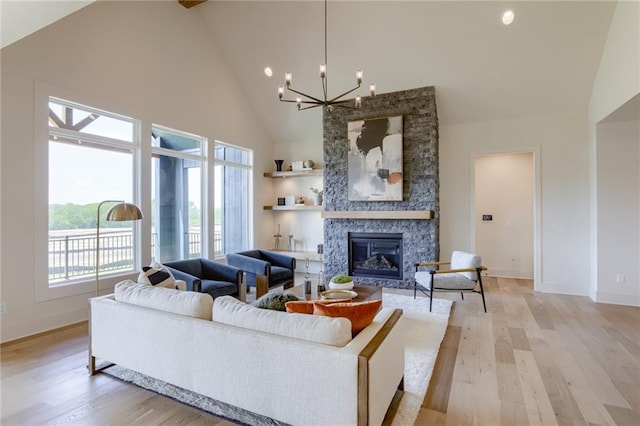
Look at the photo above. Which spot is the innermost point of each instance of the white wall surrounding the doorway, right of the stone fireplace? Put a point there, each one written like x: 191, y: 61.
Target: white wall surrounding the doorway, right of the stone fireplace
x: 563, y: 235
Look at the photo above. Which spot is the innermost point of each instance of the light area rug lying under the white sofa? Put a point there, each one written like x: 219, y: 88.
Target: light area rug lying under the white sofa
x: 424, y: 333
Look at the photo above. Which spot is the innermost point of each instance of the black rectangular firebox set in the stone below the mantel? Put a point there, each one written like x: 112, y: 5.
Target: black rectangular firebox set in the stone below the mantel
x: 376, y: 255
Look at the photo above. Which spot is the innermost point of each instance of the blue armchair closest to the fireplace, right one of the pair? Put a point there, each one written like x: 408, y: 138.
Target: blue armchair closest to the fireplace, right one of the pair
x: 264, y: 269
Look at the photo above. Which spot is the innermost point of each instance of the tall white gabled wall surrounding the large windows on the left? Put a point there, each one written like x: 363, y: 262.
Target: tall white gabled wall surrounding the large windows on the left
x: 149, y: 60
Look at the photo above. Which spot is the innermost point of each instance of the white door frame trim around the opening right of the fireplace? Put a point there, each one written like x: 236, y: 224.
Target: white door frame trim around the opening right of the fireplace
x: 537, y: 212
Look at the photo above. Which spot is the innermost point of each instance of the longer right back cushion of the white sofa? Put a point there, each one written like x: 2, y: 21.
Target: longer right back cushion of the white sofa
x: 318, y: 329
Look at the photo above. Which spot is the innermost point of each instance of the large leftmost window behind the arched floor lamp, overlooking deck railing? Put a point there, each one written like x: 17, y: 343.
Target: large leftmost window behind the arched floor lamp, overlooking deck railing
x: 91, y: 159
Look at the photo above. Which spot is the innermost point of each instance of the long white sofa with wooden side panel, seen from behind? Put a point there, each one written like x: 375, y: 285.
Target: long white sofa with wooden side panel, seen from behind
x: 296, y: 368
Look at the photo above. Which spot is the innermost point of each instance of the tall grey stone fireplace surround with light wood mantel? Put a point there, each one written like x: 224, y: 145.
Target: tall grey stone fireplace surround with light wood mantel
x: 415, y: 219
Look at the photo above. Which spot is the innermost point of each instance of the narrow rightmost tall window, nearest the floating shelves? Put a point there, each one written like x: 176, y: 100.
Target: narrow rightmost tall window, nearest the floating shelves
x: 232, y: 200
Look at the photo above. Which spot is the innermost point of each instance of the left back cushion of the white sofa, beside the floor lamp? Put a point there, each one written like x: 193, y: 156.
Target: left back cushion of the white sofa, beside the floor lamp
x: 189, y: 303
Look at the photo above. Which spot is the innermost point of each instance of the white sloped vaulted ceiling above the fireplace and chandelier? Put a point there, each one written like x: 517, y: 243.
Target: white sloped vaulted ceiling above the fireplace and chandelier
x: 544, y: 63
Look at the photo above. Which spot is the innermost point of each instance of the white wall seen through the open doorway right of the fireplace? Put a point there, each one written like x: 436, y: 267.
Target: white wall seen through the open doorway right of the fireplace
x: 504, y: 188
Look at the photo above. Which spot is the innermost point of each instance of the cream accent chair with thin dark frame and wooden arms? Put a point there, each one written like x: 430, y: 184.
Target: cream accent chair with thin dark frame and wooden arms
x: 464, y: 275
